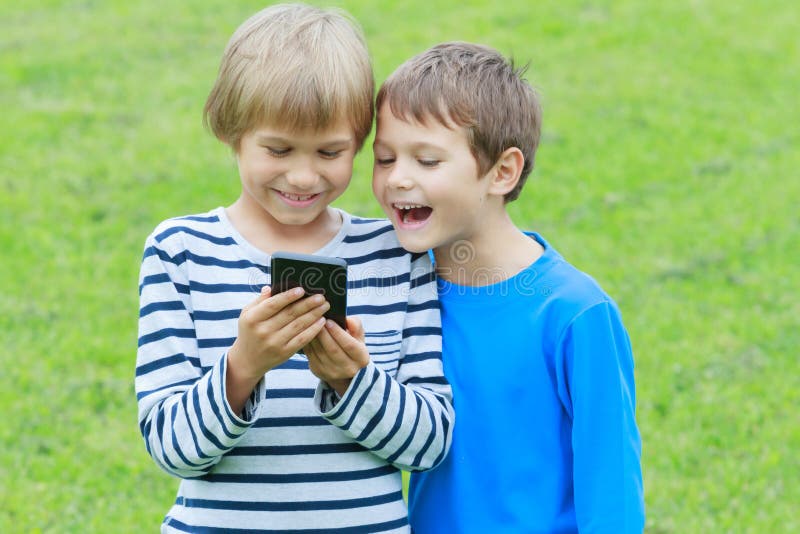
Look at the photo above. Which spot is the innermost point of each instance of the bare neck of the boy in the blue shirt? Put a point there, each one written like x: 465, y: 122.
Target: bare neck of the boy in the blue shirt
x: 494, y: 252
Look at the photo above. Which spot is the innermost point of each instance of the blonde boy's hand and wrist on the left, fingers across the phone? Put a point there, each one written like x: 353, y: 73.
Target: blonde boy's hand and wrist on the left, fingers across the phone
x: 271, y: 330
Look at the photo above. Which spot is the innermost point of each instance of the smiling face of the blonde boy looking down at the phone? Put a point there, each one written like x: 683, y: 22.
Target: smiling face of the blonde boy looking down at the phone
x: 290, y: 178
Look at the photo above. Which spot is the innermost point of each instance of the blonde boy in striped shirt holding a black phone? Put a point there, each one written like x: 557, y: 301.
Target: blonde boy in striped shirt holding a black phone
x: 263, y: 437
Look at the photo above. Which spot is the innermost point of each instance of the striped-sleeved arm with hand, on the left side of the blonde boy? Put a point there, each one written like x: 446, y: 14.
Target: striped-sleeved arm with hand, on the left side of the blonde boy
x: 190, y: 417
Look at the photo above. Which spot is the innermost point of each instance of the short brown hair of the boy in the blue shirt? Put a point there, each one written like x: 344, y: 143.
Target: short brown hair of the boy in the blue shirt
x: 471, y: 86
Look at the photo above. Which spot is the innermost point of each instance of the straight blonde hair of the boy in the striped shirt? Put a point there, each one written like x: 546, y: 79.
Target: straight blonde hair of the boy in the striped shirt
x: 294, y: 66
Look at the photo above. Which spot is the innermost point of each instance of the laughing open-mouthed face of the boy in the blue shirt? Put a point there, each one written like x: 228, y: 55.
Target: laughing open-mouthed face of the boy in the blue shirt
x: 426, y: 180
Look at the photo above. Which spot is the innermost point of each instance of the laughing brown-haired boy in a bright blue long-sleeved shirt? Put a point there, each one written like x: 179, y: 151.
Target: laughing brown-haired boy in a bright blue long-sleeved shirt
x: 539, y: 361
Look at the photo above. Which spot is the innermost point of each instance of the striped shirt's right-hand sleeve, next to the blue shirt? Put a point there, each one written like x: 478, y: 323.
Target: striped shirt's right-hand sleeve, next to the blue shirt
x: 406, y: 419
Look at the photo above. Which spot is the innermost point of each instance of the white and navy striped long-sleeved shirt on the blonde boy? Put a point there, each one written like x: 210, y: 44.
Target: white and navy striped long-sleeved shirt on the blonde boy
x: 296, y: 459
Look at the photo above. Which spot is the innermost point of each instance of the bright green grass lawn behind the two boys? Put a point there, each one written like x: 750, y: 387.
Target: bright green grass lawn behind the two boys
x: 668, y: 171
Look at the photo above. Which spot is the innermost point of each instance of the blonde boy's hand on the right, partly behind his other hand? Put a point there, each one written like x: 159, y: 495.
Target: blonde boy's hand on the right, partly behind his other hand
x: 336, y: 355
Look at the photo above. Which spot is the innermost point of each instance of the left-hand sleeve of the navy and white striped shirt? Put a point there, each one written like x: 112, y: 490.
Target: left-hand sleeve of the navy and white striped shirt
x: 184, y: 416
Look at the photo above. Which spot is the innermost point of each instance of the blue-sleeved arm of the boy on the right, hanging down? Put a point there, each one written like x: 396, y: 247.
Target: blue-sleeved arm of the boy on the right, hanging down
x: 606, y: 445
